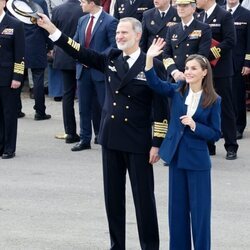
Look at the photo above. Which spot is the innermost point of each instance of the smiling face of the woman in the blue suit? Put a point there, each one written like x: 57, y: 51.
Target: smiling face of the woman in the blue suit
x: 194, y: 73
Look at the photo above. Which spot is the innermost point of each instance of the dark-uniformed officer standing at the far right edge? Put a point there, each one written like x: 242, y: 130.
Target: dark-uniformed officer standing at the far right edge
x: 241, y: 62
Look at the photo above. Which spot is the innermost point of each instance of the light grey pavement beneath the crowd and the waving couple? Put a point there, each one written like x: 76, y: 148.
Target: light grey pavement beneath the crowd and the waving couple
x: 52, y: 198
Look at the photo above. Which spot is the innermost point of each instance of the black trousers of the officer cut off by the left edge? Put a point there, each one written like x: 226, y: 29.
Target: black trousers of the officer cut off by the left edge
x: 8, y: 119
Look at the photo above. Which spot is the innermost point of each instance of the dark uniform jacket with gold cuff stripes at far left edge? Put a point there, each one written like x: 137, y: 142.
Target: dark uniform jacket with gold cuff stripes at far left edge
x: 12, y: 46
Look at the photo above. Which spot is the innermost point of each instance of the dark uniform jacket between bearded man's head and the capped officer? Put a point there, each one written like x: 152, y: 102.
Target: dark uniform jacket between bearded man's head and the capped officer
x: 154, y: 26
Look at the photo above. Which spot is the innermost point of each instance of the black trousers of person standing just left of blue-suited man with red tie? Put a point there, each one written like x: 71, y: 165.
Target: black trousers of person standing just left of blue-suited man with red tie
x: 69, y: 90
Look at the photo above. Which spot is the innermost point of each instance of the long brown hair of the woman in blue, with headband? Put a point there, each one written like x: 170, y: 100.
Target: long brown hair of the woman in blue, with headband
x: 209, y: 96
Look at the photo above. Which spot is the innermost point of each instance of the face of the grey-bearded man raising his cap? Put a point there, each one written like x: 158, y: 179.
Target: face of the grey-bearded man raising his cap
x: 126, y: 37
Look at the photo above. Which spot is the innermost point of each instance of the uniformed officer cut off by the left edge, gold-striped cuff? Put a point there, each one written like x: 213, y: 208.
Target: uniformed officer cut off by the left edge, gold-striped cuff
x: 12, y: 46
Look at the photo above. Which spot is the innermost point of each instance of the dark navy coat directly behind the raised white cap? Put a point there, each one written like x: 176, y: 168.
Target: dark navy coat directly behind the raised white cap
x: 37, y: 42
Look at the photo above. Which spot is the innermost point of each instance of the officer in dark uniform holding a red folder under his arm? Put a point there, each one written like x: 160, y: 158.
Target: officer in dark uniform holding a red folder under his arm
x: 224, y: 40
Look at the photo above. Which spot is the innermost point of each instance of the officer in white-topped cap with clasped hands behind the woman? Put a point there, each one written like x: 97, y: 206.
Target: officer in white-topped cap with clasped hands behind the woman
x: 185, y: 38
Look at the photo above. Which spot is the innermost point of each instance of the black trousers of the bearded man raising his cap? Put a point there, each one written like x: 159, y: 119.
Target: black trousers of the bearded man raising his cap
x: 115, y: 165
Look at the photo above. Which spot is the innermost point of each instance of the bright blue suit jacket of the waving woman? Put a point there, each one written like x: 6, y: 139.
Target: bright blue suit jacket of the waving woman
x: 189, y: 148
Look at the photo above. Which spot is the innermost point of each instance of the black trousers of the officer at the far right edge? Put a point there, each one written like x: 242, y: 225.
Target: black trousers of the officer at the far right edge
x: 239, y: 101
